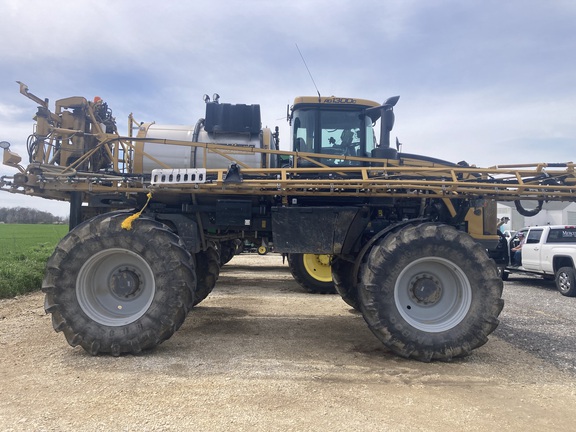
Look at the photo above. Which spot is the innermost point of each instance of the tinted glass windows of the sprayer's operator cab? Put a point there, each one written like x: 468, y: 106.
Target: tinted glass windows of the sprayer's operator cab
x: 333, y: 132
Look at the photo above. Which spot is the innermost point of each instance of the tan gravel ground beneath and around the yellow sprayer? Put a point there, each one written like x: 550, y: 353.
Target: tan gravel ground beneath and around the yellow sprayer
x: 261, y: 355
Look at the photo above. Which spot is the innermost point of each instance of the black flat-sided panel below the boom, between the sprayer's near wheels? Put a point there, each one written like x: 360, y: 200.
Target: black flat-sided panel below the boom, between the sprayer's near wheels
x: 318, y: 230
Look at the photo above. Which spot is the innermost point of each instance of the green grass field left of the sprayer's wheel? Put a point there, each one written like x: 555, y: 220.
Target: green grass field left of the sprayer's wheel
x: 24, y: 250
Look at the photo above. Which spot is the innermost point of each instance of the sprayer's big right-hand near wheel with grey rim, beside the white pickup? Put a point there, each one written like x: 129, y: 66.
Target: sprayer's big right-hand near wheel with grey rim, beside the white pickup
x: 430, y: 292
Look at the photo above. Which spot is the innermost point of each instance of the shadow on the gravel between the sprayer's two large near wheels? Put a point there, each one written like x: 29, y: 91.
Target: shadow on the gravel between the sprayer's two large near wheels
x: 221, y: 336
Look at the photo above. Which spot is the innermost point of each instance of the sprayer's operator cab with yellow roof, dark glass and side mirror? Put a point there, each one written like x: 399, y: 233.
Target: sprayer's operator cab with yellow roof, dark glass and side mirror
x: 342, y: 126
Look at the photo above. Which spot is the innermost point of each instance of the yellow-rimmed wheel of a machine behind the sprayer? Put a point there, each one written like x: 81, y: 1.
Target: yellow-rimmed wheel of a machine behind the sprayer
x: 312, y: 272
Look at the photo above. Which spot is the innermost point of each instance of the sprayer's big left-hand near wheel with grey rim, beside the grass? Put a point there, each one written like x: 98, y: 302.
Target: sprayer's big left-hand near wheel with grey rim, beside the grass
x: 117, y: 291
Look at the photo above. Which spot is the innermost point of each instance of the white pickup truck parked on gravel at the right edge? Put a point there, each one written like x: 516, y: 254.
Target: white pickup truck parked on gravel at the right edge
x: 548, y: 251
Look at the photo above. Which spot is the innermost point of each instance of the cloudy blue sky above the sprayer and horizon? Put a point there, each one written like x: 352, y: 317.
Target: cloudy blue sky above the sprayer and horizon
x: 490, y: 82
